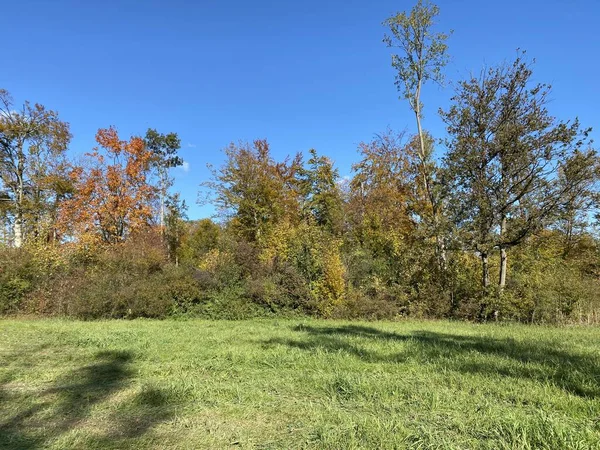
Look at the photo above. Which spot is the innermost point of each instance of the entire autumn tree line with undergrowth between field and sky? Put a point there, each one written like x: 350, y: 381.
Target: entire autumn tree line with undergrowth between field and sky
x: 494, y: 220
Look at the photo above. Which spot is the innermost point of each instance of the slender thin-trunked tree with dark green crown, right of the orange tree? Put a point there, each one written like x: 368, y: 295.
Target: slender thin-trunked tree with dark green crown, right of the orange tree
x: 164, y: 149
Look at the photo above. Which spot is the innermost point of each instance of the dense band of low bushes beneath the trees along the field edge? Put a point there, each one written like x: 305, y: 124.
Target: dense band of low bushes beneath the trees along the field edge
x: 219, y: 277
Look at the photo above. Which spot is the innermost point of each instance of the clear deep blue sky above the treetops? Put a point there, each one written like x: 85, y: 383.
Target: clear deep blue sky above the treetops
x: 302, y: 74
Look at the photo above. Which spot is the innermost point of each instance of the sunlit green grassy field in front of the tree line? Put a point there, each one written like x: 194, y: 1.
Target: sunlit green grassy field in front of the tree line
x: 297, y: 384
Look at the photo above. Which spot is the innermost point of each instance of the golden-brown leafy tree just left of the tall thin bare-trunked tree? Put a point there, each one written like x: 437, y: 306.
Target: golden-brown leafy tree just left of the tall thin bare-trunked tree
x: 380, y: 238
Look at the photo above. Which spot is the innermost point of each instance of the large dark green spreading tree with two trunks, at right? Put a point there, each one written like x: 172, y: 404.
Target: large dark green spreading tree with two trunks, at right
x: 505, y: 150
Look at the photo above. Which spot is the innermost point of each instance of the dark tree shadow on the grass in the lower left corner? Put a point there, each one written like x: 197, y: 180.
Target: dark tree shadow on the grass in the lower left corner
x: 37, y: 418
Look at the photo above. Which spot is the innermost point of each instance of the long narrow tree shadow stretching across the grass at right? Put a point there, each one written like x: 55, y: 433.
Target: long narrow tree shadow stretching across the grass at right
x: 540, y: 361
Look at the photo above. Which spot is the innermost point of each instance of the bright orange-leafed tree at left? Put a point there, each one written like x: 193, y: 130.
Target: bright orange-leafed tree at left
x: 113, y: 196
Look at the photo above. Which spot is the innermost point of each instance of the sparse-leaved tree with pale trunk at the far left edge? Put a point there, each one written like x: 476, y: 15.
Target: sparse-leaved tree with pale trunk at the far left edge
x: 32, y: 142
